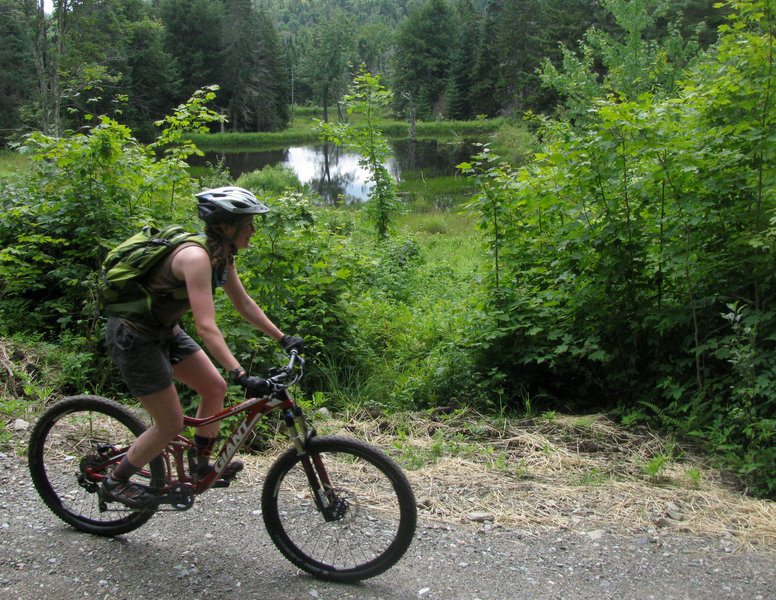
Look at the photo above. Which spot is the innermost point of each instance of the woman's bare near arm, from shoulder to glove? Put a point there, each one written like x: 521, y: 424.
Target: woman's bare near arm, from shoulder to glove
x: 193, y: 266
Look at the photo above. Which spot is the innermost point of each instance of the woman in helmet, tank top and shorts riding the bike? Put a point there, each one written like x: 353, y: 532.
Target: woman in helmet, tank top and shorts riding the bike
x: 151, y: 356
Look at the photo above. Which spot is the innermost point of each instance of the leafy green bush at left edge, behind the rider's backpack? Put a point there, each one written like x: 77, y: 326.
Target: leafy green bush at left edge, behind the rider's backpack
x: 84, y: 193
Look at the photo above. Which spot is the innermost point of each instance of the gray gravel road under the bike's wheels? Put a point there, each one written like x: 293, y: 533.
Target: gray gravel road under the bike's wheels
x: 219, y: 549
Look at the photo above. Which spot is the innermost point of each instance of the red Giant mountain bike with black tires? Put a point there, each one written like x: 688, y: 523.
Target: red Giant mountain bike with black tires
x: 336, y: 507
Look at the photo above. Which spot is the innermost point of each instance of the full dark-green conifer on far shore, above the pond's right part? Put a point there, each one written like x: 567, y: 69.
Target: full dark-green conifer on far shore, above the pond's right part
x: 423, y: 57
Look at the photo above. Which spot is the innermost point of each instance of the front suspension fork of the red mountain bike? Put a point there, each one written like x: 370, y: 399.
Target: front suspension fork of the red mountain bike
x: 329, y: 504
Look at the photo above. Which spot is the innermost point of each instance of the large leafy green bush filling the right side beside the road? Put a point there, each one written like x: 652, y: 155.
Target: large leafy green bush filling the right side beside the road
x: 615, y: 252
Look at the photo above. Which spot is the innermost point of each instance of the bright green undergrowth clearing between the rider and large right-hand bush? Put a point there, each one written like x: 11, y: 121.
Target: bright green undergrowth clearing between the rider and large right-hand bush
x: 409, y: 310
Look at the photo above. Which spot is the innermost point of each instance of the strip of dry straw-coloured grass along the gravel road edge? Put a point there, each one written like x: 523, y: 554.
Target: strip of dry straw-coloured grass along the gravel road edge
x: 576, y: 473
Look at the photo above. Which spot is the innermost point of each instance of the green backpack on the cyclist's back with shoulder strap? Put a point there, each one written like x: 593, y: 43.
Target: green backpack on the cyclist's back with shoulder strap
x: 121, y: 290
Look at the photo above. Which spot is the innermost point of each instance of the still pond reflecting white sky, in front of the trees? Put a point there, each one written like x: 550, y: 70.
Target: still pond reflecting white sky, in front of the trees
x: 334, y: 172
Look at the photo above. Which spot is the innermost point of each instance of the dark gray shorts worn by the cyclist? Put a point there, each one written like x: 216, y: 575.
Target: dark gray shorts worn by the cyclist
x: 145, y: 363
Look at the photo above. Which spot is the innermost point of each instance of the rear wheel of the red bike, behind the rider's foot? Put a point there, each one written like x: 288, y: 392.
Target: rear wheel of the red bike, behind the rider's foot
x: 81, y: 431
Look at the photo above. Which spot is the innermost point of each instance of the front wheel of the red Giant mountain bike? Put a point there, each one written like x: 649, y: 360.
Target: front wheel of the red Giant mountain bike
x: 377, y: 524
